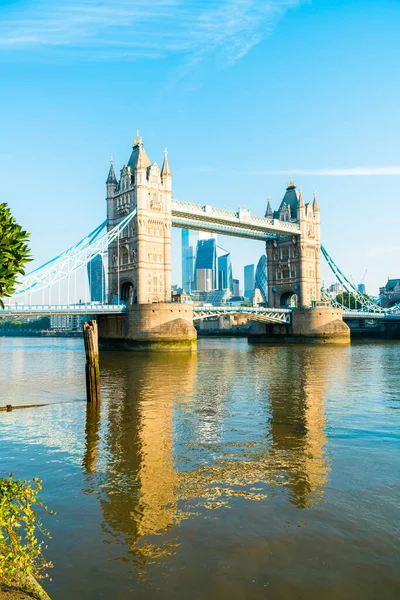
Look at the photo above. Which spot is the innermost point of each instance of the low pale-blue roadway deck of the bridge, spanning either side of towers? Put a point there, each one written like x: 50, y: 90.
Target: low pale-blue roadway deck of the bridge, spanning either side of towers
x: 265, y: 315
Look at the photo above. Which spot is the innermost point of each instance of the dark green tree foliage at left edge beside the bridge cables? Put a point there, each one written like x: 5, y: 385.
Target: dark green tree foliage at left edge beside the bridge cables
x: 14, y: 252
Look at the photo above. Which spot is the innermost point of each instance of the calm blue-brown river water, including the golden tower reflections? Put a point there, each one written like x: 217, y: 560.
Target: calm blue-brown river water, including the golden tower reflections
x: 238, y: 472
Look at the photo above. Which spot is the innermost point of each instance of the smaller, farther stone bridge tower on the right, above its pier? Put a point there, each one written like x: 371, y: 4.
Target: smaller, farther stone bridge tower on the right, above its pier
x: 294, y: 261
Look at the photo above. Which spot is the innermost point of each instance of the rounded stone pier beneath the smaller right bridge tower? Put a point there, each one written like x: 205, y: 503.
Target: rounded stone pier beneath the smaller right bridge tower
x: 309, y: 326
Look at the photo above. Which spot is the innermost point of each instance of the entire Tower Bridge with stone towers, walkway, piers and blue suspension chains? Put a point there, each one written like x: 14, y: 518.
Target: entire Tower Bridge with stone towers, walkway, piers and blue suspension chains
x: 136, y: 247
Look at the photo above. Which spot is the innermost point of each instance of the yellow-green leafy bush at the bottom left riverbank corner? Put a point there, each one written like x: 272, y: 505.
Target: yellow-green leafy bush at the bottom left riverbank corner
x: 21, y: 558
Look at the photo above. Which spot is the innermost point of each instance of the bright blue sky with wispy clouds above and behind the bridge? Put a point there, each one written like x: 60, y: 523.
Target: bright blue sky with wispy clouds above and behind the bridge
x: 244, y: 93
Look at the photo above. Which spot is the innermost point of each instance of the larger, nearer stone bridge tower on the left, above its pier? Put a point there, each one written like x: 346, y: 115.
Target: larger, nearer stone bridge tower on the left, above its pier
x: 139, y: 267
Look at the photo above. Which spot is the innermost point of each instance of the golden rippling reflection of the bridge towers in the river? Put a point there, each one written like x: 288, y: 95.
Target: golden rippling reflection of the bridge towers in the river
x: 188, y: 433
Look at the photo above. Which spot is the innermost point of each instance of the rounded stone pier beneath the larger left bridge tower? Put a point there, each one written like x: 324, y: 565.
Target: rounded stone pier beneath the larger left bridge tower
x: 149, y: 327
